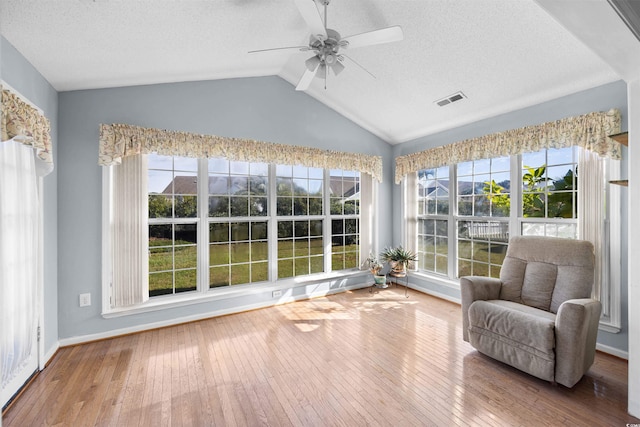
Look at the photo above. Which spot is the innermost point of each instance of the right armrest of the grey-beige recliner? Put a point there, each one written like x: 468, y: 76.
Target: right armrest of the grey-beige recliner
x: 576, y: 332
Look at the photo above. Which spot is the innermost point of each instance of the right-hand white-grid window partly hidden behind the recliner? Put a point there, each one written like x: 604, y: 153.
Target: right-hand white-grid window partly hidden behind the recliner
x: 489, y: 197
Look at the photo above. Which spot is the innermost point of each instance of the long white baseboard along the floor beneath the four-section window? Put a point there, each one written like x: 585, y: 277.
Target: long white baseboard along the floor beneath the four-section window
x: 65, y: 342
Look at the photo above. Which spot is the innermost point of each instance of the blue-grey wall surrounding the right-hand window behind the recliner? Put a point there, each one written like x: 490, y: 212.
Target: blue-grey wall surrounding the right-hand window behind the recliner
x: 603, y: 98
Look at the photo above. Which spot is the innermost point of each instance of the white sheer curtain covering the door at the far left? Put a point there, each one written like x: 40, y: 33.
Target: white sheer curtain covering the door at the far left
x: 19, y: 239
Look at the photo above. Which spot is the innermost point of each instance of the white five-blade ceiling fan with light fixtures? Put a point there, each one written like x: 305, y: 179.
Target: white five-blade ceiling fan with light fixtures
x: 326, y: 44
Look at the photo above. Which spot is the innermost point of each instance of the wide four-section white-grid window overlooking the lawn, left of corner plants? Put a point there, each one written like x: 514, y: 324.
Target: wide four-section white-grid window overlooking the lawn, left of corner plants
x: 254, y: 215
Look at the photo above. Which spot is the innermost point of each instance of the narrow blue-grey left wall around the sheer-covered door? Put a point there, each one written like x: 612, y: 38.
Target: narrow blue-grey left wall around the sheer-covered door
x: 23, y: 77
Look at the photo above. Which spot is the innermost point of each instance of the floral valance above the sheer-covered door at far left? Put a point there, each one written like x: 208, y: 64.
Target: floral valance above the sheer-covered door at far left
x: 25, y: 124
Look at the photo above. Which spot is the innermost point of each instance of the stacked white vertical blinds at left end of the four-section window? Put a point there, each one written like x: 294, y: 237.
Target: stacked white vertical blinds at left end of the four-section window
x: 129, y: 234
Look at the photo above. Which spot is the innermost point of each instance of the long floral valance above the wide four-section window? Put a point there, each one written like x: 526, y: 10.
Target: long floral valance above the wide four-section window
x: 121, y: 140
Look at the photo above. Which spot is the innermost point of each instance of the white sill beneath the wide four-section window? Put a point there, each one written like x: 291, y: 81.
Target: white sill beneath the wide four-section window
x: 180, y: 300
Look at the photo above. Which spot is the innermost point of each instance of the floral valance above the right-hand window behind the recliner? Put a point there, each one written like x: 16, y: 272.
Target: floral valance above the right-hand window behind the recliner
x: 589, y: 131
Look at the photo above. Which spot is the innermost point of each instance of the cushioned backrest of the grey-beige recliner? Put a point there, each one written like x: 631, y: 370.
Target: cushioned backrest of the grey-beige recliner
x: 543, y: 272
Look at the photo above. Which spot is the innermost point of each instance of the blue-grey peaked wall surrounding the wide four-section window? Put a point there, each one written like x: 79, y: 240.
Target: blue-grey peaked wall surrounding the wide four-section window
x: 267, y: 109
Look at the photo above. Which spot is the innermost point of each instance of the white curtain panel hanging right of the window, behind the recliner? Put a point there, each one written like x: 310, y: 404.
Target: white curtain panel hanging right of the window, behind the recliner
x: 592, y: 210
